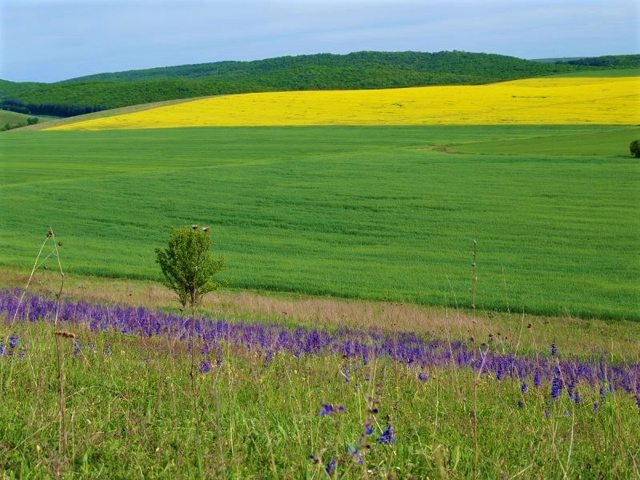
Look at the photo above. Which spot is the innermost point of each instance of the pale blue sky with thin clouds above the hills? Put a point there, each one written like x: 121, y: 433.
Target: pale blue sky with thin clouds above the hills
x: 53, y: 40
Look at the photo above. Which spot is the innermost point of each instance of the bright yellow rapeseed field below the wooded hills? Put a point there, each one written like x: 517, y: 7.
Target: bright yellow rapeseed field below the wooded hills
x: 548, y: 101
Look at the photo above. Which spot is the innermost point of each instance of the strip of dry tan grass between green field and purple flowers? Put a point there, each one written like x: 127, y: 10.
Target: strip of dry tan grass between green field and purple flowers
x: 512, y: 330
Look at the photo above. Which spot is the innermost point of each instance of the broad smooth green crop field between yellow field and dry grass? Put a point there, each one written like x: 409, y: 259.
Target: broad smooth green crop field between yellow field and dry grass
x: 376, y: 213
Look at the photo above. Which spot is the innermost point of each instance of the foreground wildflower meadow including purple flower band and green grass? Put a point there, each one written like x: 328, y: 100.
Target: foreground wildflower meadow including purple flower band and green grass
x: 276, y: 401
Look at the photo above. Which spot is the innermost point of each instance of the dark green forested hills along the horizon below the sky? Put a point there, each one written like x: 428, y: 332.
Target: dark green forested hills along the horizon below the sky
x: 361, y: 70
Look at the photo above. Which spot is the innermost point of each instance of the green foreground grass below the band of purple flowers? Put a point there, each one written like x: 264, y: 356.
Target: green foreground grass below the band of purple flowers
x: 130, y: 411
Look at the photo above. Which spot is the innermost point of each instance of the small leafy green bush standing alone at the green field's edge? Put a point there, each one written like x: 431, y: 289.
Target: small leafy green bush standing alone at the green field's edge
x: 188, y: 265
